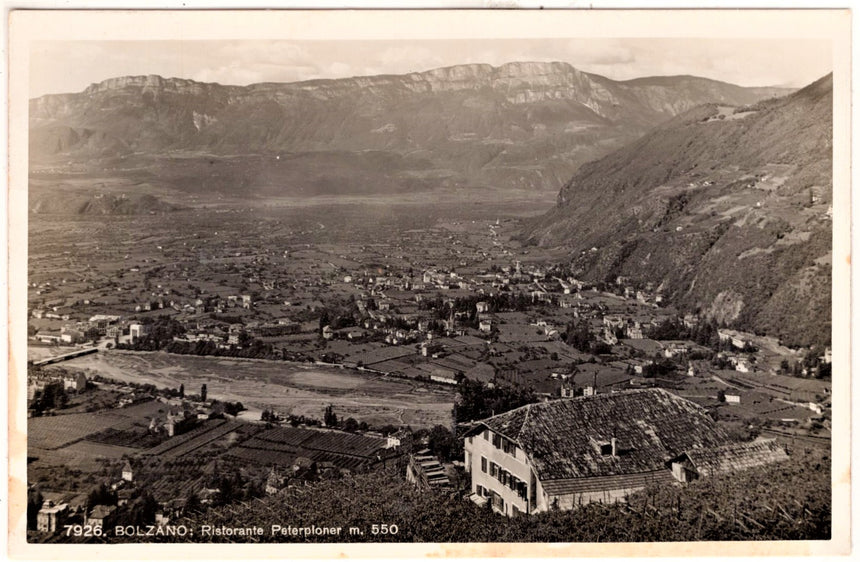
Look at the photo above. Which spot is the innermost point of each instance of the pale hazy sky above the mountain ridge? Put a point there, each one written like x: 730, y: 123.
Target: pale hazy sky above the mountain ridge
x: 71, y: 66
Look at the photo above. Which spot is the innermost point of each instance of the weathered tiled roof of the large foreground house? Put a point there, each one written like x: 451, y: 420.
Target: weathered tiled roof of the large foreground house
x: 563, y: 437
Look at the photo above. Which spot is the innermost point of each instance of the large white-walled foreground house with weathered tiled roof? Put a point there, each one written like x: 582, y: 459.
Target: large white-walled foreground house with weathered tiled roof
x: 563, y: 453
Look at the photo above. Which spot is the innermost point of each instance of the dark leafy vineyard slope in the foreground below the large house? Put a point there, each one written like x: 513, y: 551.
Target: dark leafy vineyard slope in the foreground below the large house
x: 788, y: 501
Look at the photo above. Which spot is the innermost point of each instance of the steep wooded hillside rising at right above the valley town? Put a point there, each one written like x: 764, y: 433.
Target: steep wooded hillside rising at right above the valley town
x: 727, y: 210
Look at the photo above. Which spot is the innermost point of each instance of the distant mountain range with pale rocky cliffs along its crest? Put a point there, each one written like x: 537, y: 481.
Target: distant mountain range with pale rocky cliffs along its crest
x: 520, y: 125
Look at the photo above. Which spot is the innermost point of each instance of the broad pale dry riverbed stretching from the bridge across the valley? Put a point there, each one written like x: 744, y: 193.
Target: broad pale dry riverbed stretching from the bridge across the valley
x: 286, y: 387
